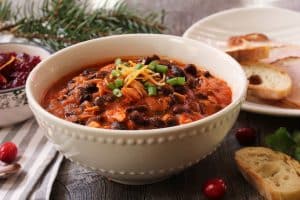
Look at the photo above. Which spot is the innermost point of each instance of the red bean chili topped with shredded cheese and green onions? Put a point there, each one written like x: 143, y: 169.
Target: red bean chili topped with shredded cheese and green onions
x: 138, y: 93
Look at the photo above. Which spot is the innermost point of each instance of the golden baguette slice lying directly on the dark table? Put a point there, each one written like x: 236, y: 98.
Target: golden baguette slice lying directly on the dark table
x: 275, y: 175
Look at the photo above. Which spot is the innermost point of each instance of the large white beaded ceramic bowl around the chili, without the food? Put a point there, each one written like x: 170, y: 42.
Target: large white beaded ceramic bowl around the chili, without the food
x: 140, y: 156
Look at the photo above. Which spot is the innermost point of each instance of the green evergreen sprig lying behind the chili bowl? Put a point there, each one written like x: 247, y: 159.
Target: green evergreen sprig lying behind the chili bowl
x: 65, y: 22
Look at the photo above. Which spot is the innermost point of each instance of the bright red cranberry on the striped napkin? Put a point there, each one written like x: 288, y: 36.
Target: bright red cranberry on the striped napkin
x: 8, y: 152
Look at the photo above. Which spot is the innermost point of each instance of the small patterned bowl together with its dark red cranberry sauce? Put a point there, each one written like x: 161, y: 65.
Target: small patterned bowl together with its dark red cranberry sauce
x: 16, y: 62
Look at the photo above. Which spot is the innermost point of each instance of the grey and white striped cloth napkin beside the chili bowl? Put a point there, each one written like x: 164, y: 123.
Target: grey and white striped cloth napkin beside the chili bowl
x: 39, y: 160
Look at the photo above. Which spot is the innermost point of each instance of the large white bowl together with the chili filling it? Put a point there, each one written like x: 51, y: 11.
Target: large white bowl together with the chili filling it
x: 111, y: 105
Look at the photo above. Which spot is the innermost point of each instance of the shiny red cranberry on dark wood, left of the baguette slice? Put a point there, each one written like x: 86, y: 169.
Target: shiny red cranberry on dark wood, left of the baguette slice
x: 214, y: 188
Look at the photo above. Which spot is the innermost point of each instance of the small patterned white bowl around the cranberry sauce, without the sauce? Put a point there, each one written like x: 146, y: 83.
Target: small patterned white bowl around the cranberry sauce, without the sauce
x: 13, y: 103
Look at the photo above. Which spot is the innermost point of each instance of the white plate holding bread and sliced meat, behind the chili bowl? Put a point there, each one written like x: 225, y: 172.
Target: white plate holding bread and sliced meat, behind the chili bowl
x: 279, y: 24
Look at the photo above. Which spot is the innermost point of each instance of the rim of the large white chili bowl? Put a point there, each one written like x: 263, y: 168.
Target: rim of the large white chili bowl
x: 146, y: 132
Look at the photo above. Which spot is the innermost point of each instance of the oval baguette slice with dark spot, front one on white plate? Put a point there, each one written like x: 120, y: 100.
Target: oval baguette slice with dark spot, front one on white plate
x: 267, y: 81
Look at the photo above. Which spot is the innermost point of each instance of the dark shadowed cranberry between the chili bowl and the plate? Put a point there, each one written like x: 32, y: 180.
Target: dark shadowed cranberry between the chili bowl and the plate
x: 246, y: 136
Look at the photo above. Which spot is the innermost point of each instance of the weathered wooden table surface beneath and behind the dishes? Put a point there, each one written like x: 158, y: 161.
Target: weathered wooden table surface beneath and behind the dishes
x: 75, y: 182
